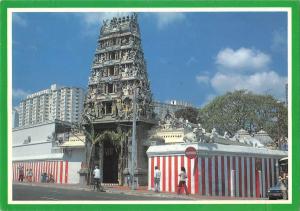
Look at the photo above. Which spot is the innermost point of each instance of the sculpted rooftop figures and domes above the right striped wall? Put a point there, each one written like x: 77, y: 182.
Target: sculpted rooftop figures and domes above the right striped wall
x: 171, y: 130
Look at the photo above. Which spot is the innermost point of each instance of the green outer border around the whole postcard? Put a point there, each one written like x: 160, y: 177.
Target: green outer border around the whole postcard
x: 295, y: 8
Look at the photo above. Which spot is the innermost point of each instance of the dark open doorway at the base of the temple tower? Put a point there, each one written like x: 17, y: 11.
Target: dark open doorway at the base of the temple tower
x: 110, y: 162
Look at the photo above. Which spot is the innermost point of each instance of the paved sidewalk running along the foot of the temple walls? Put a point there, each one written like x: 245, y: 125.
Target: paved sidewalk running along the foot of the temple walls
x: 142, y: 190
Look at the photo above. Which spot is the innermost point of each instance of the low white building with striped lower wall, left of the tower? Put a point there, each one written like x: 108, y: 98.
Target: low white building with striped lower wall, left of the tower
x: 47, y: 148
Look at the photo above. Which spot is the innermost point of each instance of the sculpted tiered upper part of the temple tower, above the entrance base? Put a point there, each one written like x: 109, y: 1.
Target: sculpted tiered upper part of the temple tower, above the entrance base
x: 118, y: 69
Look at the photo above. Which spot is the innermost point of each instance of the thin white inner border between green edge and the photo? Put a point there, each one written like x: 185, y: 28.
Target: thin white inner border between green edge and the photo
x: 55, y: 10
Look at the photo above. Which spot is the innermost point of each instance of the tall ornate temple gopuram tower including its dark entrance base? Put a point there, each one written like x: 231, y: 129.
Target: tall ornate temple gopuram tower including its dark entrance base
x: 118, y: 70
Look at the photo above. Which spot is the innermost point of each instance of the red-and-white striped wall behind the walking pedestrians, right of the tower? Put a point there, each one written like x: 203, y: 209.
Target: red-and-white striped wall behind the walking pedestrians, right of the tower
x: 217, y: 175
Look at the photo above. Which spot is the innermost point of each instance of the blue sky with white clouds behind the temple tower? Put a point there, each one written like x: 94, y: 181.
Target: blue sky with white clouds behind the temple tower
x: 190, y: 56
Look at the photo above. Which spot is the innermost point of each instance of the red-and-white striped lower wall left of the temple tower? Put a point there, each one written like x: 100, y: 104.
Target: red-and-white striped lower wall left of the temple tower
x: 58, y: 168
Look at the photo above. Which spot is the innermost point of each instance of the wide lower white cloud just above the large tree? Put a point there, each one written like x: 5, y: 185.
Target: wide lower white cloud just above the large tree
x: 262, y: 83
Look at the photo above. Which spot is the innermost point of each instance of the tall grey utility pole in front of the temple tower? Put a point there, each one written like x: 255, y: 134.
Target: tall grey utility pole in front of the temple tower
x: 133, y: 141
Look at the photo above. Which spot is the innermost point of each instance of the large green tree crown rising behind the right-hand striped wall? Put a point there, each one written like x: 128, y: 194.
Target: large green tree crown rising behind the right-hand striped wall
x: 243, y: 109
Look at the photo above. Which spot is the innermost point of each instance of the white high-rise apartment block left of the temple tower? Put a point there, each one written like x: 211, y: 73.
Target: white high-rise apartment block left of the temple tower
x: 61, y: 103
